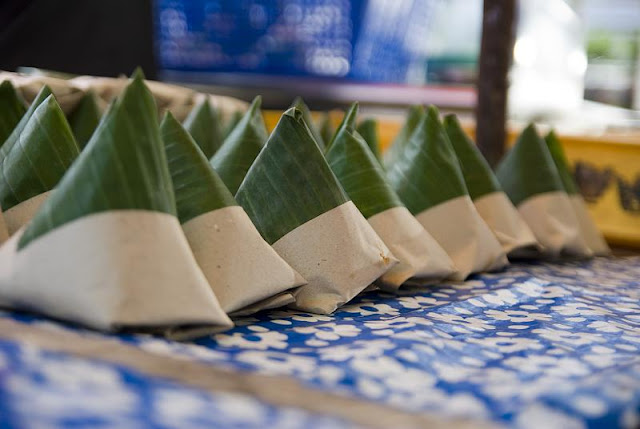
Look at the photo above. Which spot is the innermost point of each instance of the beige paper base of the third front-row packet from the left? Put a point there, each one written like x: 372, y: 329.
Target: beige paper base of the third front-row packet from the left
x: 339, y: 255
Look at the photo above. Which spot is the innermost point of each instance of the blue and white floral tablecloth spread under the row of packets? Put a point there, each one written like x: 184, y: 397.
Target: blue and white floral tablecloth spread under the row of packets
x: 538, y: 345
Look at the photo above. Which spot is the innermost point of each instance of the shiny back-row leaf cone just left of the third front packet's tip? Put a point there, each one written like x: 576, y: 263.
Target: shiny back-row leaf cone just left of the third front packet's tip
x: 241, y: 148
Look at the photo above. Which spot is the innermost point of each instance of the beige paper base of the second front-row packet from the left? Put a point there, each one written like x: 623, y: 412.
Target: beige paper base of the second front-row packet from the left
x: 240, y: 266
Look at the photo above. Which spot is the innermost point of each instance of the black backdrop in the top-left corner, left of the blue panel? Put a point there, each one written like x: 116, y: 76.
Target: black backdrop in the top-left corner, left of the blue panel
x: 96, y: 37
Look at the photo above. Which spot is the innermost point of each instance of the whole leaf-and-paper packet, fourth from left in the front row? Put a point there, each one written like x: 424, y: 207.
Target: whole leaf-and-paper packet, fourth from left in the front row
x: 363, y: 178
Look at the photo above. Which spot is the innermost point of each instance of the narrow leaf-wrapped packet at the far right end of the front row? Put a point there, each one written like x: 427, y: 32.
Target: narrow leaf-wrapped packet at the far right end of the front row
x: 588, y: 228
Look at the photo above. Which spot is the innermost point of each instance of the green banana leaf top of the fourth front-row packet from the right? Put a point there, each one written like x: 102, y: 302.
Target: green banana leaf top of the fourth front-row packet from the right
x: 427, y: 173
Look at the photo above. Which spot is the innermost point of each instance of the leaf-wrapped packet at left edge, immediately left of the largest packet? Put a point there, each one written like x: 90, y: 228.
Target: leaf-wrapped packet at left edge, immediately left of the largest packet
x: 33, y: 160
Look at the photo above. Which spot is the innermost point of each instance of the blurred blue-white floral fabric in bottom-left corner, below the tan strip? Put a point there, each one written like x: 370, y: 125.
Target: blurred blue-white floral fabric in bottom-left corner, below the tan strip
x: 50, y: 390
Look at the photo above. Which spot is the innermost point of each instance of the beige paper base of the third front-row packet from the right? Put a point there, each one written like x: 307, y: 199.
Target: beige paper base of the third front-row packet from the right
x: 505, y: 222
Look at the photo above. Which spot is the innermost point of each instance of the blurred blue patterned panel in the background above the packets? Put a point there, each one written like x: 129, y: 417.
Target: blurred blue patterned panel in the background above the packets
x: 363, y: 40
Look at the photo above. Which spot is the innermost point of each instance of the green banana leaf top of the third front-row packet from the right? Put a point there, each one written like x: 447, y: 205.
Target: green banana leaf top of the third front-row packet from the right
x: 478, y: 175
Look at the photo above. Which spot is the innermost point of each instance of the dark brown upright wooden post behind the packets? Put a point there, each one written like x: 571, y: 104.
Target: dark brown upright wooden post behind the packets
x: 495, y: 59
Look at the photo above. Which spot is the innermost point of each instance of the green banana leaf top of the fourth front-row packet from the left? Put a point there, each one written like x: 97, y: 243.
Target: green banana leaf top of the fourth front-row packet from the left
x: 361, y: 174
